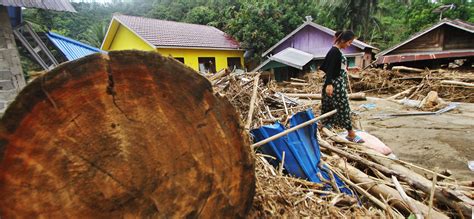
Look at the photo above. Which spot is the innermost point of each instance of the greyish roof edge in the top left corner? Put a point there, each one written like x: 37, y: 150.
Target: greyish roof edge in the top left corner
x: 56, y: 5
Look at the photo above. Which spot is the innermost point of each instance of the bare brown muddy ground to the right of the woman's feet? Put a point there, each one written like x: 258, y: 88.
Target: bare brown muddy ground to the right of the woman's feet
x: 445, y: 141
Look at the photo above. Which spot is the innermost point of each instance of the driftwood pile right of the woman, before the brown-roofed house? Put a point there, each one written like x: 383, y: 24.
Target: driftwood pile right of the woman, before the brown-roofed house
x: 451, y: 85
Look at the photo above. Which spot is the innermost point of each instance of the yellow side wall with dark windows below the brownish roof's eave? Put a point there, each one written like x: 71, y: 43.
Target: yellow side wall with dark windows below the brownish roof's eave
x: 191, y: 56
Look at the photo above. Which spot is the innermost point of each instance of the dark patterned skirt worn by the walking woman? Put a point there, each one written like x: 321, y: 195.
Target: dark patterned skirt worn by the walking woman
x: 339, y: 101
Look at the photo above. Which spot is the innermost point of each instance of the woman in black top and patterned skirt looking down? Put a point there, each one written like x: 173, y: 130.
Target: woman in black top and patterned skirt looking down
x: 335, y: 86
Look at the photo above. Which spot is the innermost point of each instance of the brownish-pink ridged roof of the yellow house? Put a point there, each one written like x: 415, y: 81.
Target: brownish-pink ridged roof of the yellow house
x: 162, y: 33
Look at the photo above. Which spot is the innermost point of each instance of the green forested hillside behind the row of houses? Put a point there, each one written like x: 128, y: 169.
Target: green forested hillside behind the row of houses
x: 260, y: 24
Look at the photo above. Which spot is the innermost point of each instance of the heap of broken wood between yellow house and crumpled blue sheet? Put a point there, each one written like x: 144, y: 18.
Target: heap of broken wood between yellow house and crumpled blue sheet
x: 258, y: 104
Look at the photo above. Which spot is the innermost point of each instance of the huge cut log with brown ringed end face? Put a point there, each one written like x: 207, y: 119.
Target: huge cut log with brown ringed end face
x: 131, y: 134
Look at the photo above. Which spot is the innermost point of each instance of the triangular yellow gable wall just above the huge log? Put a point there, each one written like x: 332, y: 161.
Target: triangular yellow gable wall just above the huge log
x: 125, y: 39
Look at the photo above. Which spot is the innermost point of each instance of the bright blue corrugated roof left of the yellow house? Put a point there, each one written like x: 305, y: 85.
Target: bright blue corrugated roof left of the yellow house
x: 72, y: 49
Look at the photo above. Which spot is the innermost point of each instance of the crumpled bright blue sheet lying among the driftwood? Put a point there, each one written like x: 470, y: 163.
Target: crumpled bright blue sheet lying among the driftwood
x: 302, y: 153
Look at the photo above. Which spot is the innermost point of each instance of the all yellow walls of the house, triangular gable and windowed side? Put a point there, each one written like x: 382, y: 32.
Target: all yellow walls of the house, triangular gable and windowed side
x: 121, y: 38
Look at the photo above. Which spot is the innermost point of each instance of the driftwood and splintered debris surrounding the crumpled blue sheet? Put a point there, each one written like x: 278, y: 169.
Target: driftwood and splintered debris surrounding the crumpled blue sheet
x: 384, y: 187
